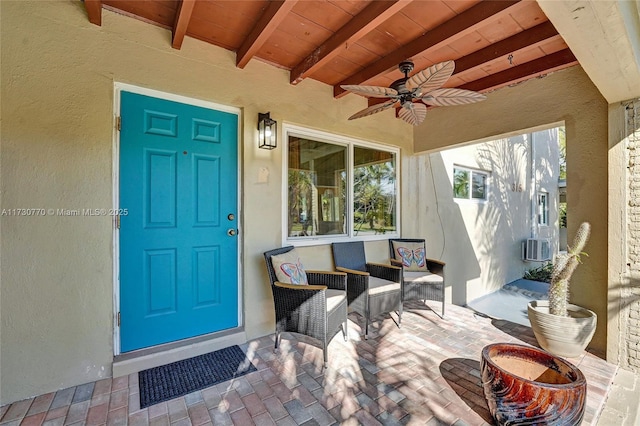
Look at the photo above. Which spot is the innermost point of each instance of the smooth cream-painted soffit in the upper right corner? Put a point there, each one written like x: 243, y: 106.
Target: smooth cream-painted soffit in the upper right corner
x: 604, y: 35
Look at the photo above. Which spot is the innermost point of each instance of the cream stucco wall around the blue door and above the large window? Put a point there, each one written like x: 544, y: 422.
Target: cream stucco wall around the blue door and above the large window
x: 58, y: 73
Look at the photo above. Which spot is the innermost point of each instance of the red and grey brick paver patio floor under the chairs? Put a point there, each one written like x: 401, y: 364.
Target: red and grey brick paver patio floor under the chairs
x: 424, y: 373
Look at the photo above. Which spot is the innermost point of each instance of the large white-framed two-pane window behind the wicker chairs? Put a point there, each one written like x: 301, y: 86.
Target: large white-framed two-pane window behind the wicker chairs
x: 338, y: 187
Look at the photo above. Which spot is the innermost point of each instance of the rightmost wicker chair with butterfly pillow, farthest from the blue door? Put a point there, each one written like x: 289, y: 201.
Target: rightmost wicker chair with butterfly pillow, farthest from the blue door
x: 428, y: 285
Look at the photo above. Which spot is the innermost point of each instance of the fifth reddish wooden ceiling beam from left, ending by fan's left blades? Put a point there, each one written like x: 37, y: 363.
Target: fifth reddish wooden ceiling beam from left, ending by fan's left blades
x: 462, y: 24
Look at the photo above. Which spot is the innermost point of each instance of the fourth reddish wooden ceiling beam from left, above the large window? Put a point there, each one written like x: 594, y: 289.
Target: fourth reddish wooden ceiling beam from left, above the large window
x: 366, y: 21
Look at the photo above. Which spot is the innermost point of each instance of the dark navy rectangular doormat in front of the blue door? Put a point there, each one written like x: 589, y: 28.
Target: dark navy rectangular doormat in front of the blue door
x: 179, y: 378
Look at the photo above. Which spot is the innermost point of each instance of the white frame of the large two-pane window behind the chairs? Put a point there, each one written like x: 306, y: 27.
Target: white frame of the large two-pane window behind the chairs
x: 348, y: 142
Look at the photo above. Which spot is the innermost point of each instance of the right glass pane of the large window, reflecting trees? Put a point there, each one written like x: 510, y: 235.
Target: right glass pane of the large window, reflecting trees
x: 374, y: 191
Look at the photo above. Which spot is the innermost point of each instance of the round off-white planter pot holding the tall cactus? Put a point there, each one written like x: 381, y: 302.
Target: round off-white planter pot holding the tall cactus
x: 562, y: 336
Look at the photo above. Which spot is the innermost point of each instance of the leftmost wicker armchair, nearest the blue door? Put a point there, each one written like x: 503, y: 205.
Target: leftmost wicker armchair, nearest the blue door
x: 317, y: 310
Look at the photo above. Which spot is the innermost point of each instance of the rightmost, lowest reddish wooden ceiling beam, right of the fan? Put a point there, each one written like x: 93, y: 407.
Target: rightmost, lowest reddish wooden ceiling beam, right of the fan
x: 536, y: 68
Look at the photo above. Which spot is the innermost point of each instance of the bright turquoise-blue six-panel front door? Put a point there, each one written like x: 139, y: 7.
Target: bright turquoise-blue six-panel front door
x: 178, y: 246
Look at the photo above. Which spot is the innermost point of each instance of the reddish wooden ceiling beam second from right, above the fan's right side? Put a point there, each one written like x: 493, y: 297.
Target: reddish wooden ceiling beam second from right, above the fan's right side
x: 526, y: 38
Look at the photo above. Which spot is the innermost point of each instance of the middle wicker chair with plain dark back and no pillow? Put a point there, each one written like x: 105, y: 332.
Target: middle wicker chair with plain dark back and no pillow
x: 373, y: 288
